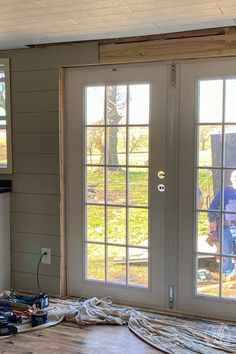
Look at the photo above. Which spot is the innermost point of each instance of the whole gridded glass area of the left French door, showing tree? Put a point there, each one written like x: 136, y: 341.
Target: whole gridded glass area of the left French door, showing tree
x: 116, y: 195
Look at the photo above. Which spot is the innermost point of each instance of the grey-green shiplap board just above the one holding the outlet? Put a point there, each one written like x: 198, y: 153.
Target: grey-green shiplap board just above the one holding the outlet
x: 35, y: 223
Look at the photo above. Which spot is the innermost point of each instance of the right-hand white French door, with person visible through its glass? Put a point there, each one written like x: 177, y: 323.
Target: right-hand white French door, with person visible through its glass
x: 207, y: 166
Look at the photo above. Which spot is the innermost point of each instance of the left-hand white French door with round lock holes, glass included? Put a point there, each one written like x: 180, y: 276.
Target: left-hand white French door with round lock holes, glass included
x: 115, y: 146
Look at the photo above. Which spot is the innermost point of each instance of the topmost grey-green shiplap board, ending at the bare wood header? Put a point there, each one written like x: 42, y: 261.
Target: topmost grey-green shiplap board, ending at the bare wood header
x: 52, y: 57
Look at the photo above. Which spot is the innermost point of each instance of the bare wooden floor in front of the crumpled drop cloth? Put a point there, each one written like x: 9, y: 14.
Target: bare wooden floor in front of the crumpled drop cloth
x: 70, y: 338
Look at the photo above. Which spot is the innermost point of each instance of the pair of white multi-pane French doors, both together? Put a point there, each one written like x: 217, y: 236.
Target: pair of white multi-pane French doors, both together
x: 150, y: 184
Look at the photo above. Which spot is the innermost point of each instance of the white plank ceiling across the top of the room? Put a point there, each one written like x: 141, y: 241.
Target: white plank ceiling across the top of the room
x: 27, y: 22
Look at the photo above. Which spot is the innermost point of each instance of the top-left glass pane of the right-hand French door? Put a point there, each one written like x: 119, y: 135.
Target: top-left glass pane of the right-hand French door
x: 210, y: 101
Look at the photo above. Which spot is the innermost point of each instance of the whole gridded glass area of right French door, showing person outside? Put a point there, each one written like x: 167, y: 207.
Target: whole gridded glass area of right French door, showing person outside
x: 216, y: 189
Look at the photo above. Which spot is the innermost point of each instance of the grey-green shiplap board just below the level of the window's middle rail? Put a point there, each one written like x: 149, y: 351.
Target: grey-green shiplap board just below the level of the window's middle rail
x: 35, y: 143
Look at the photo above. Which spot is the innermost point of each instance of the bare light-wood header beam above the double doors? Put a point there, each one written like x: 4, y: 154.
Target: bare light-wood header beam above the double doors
x: 170, y: 49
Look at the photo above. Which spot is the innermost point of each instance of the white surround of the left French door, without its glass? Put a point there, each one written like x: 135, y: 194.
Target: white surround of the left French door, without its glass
x: 157, y: 296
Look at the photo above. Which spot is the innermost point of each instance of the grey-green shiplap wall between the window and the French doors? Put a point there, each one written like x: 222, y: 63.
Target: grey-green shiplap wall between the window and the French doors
x: 35, y: 199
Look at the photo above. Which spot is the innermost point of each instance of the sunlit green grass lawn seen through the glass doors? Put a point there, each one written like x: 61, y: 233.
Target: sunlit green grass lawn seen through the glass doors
x: 126, y: 225
